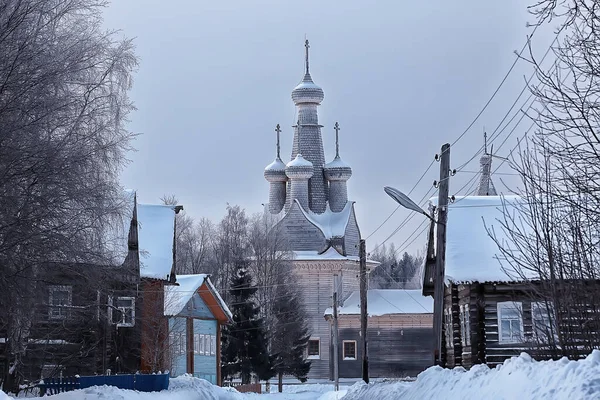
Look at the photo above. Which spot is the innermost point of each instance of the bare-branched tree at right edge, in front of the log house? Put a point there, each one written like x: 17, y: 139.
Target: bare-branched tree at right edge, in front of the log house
x: 551, y: 235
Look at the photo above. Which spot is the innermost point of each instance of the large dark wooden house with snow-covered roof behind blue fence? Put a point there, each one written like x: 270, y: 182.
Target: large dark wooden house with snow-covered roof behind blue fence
x: 97, y: 318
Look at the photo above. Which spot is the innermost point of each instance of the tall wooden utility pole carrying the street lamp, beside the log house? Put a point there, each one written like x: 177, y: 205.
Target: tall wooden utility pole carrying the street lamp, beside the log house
x: 440, y: 258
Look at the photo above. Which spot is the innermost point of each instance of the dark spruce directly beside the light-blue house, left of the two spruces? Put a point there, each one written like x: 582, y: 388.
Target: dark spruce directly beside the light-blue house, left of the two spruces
x: 244, y: 343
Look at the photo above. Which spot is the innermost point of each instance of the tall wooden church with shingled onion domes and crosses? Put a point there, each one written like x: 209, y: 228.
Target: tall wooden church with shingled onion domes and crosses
x: 309, y: 202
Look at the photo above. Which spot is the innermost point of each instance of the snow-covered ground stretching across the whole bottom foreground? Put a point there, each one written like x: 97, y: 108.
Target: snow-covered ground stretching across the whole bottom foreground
x: 519, y: 378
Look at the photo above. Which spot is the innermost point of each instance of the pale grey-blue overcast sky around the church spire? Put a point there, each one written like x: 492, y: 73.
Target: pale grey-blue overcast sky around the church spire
x: 401, y: 78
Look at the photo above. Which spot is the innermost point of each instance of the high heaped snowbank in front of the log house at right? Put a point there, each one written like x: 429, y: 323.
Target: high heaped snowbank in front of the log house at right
x: 518, y: 378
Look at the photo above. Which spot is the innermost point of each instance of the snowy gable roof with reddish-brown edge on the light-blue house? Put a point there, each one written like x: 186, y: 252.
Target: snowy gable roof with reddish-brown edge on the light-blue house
x: 177, y: 296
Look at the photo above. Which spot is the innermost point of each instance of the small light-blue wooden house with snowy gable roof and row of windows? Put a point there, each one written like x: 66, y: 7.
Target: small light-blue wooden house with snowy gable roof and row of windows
x: 195, y: 312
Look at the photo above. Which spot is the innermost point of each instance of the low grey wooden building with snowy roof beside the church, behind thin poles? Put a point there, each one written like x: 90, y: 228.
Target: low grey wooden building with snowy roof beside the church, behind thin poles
x: 399, y: 333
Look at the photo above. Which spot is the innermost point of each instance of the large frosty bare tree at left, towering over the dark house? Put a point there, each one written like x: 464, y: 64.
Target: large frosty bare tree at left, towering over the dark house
x: 63, y: 108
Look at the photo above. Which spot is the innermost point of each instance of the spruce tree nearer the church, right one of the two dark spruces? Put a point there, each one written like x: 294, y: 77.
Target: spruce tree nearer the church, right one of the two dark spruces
x: 290, y: 335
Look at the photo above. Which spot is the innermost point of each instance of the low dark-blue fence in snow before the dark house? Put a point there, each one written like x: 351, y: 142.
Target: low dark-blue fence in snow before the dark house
x: 139, y: 382
